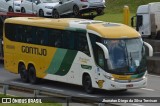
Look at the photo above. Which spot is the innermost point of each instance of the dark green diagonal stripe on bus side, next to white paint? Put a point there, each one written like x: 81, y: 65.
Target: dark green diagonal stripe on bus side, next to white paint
x: 67, y: 62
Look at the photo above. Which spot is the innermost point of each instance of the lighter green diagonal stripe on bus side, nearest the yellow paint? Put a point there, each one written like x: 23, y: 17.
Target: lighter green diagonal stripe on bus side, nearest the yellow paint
x: 56, y: 61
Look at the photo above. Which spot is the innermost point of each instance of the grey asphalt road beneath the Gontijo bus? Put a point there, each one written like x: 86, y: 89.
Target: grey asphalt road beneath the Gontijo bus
x: 152, y: 90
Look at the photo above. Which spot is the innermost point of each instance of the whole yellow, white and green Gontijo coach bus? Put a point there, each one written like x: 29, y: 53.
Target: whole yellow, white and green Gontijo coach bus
x: 91, y: 53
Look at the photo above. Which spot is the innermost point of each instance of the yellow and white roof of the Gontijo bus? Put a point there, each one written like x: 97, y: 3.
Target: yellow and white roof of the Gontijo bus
x: 105, y: 29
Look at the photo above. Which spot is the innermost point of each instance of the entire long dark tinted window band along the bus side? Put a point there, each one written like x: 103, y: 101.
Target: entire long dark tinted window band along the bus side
x: 48, y: 37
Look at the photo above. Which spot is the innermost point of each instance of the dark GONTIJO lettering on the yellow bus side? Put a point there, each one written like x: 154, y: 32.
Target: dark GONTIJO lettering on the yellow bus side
x: 34, y: 50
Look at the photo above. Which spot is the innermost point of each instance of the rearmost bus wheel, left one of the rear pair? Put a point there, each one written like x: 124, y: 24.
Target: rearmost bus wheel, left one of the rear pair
x: 23, y: 73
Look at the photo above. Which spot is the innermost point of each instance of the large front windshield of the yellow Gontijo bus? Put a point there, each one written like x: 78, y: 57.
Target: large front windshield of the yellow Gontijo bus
x: 126, y: 56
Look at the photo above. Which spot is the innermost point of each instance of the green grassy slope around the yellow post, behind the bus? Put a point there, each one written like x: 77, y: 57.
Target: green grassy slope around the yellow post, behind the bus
x: 114, y: 9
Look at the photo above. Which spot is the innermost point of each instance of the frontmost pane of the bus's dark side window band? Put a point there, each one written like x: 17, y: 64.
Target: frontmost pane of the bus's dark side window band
x: 82, y: 44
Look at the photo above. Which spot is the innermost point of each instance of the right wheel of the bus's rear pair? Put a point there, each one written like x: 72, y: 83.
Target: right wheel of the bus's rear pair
x: 32, y: 75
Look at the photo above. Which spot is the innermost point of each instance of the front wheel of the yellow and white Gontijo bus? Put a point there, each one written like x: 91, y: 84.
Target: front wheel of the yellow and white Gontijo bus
x: 87, y: 84
